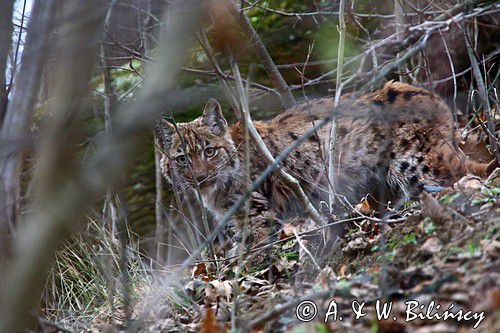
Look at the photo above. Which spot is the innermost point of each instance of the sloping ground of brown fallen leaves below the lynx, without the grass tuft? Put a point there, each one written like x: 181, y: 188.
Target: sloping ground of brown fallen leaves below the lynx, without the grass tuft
x: 447, y: 251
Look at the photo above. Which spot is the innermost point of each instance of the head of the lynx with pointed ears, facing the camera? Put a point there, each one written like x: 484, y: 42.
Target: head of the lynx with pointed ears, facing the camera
x: 198, y: 152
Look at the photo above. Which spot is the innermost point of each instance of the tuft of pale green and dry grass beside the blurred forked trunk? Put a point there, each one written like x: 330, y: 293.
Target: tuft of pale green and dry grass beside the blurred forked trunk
x: 85, y: 285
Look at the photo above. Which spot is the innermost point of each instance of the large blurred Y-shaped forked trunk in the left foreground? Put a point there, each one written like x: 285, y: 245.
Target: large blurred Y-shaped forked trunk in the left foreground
x: 64, y: 190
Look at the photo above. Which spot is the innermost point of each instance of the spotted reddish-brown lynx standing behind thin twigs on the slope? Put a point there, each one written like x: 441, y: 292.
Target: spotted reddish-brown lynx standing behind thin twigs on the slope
x: 391, y: 143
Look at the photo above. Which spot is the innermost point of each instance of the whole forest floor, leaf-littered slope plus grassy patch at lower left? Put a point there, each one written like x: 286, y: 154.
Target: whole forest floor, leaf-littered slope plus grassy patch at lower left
x: 446, y: 250
